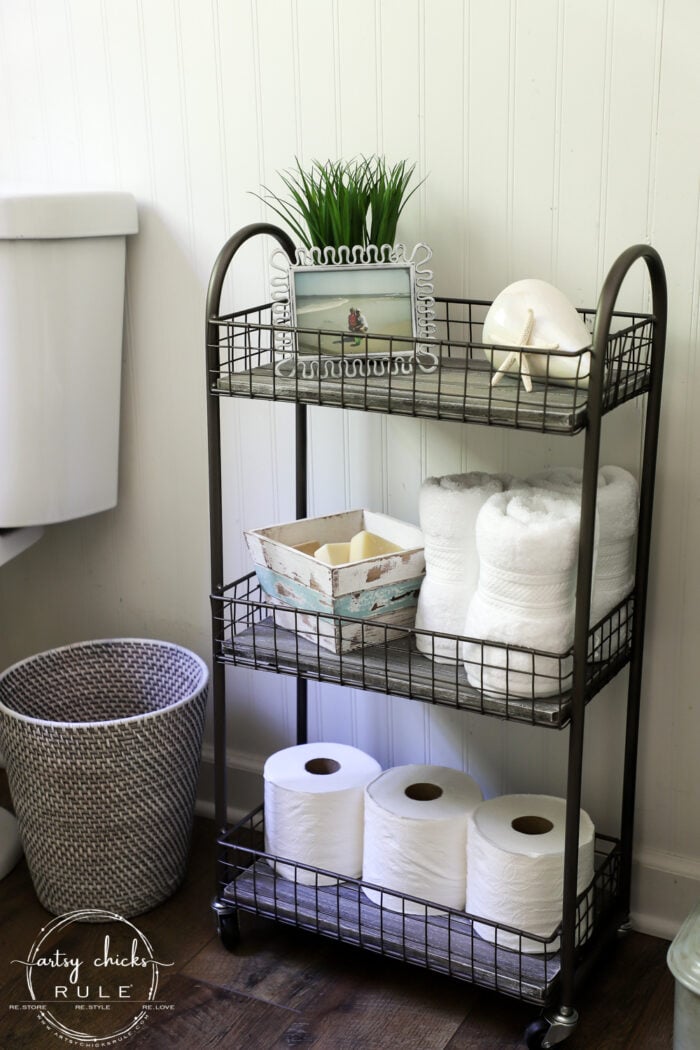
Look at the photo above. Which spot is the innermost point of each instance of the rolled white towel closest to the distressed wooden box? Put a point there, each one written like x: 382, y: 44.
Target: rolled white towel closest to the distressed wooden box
x: 449, y: 508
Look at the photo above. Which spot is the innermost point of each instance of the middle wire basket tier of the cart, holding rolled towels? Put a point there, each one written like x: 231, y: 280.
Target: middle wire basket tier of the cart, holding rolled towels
x: 507, y: 682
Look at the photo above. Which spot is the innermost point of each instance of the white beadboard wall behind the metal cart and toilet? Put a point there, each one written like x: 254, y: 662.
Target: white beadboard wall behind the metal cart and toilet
x: 553, y: 135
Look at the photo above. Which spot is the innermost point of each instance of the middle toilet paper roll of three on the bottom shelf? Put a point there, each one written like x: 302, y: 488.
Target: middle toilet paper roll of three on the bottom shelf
x: 416, y: 835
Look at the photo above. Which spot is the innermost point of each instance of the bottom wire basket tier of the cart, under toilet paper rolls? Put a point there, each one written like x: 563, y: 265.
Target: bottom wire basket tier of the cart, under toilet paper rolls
x: 401, y: 927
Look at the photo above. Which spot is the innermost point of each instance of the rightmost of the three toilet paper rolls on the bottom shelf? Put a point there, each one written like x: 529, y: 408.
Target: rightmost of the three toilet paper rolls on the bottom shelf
x: 516, y: 869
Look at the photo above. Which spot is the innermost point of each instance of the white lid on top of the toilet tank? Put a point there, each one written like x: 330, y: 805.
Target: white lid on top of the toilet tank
x: 39, y: 216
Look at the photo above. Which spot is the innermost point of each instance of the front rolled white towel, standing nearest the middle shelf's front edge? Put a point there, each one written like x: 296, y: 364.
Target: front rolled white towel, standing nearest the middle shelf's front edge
x: 528, y: 547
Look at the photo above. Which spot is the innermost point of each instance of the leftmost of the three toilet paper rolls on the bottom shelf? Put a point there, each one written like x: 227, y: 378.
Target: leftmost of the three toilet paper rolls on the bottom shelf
x: 314, y: 810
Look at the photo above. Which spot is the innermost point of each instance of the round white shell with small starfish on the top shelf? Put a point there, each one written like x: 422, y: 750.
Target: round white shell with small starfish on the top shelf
x: 534, y: 316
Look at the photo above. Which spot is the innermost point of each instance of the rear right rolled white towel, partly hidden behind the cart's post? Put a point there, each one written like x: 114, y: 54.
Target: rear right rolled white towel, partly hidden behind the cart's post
x: 614, y: 566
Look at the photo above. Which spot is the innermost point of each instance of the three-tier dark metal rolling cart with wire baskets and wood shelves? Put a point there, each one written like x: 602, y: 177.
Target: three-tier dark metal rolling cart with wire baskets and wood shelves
x: 626, y: 363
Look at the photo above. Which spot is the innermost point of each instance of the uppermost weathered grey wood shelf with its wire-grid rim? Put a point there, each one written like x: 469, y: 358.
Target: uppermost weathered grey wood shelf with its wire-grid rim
x: 460, y: 389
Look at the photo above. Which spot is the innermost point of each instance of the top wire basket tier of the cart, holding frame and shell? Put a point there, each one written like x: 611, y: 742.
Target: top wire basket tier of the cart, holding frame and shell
x: 454, y: 376
